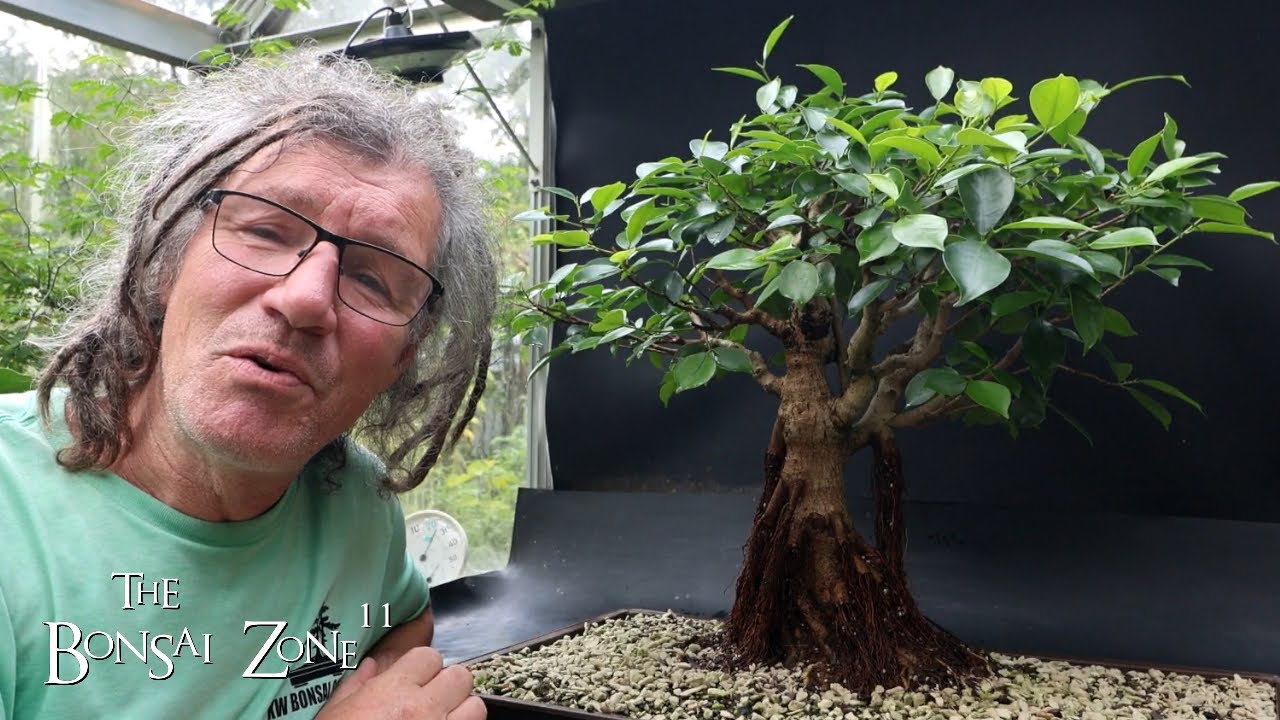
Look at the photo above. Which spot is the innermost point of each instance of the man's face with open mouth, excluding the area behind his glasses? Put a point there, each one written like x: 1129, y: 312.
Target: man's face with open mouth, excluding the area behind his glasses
x: 263, y: 371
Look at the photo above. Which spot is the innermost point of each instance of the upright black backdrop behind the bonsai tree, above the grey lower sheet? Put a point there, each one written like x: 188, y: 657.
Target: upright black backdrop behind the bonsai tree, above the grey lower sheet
x: 632, y: 83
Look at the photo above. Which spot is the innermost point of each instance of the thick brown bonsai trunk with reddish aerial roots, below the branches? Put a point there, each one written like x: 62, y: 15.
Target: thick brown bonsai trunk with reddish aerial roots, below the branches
x: 815, y: 593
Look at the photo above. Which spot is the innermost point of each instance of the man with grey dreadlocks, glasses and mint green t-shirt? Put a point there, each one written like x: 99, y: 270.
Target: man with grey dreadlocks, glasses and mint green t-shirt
x: 188, y: 530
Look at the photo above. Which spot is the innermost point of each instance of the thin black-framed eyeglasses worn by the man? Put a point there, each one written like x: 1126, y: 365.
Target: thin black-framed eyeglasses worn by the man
x: 267, y: 238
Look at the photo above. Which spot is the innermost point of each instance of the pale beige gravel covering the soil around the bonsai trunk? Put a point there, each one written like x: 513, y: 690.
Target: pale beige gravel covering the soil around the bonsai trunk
x: 662, y: 668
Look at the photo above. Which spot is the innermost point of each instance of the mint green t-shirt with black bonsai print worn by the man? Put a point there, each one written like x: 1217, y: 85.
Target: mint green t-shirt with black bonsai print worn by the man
x: 257, y: 609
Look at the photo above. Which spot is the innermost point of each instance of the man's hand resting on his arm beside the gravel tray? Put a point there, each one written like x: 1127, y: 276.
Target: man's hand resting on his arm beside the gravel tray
x: 417, y: 687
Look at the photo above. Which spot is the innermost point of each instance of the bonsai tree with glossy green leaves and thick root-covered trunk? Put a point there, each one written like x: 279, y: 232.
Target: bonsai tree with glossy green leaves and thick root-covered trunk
x: 915, y: 265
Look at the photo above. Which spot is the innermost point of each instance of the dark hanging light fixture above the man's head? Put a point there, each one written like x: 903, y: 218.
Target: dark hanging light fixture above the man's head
x: 419, y: 58
